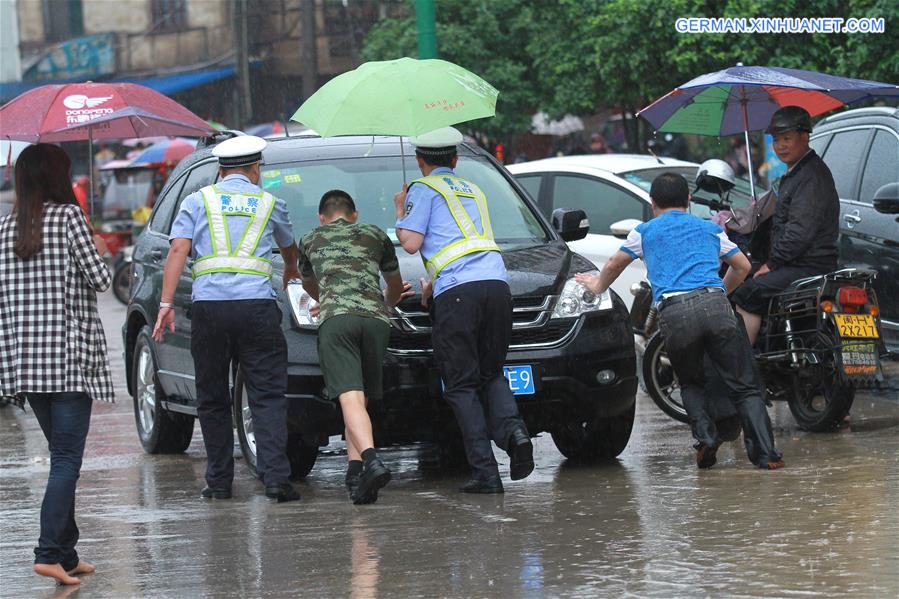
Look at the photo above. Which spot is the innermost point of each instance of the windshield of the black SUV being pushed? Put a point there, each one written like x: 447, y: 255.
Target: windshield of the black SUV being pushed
x: 372, y: 182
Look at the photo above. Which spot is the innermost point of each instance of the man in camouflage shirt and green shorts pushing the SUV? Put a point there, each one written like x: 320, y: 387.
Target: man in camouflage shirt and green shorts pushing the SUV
x: 339, y: 263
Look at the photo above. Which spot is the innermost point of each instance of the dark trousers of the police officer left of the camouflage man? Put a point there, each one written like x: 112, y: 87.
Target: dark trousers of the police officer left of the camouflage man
x: 248, y: 331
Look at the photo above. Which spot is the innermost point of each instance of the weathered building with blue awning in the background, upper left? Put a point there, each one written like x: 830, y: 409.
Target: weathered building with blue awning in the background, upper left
x: 188, y: 49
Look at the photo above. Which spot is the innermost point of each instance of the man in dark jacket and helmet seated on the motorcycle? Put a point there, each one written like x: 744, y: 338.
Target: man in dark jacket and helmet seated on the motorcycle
x: 806, y: 220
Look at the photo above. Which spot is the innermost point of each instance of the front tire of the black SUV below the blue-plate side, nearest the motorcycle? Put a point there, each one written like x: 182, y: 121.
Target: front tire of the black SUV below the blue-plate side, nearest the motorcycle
x: 596, y: 439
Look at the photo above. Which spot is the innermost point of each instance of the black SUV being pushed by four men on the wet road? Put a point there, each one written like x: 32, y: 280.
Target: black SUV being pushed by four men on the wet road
x: 571, y: 362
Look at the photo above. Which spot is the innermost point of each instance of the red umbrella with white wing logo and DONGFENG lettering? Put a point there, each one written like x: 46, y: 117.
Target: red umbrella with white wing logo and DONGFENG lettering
x: 79, y: 111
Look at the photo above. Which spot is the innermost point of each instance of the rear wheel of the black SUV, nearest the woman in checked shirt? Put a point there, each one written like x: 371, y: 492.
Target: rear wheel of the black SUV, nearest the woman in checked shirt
x: 159, y: 430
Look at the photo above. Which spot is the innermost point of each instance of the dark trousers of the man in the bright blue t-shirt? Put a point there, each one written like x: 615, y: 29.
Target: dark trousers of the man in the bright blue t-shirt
x: 705, y: 325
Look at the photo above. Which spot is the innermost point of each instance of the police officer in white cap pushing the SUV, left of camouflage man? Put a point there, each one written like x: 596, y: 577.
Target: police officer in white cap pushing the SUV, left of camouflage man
x: 230, y: 229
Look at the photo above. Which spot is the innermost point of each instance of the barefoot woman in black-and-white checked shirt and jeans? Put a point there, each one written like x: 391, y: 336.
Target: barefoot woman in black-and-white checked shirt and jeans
x: 52, y: 345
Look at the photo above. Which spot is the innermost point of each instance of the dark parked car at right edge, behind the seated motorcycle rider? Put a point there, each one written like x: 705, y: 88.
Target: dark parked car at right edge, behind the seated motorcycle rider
x: 861, y: 148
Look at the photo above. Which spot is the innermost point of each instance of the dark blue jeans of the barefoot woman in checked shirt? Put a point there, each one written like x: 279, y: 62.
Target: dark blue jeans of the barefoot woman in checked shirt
x: 65, y: 419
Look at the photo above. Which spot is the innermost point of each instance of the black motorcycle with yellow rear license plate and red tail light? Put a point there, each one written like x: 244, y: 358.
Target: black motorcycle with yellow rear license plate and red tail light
x: 820, y: 341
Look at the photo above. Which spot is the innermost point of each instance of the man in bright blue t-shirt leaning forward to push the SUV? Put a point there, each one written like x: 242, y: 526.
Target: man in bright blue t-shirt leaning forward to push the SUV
x: 682, y: 254
